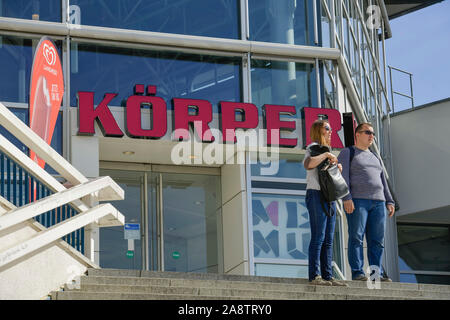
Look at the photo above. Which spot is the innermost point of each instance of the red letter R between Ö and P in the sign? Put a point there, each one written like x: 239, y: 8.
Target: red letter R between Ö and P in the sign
x: 182, y: 118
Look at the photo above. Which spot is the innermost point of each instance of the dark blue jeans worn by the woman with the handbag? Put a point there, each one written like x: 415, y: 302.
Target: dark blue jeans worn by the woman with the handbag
x: 320, y: 253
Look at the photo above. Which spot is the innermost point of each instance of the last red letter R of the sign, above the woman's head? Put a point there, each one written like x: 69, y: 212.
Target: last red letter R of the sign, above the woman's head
x: 334, y: 119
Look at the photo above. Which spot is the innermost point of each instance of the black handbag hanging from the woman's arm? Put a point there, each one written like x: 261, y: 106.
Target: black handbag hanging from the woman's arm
x: 332, y: 183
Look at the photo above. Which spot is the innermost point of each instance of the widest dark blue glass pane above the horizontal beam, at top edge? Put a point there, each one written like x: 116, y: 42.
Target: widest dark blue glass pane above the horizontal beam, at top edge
x: 218, y: 18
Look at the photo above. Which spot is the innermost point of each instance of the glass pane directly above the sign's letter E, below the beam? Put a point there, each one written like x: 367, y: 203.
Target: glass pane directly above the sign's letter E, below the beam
x: 283, y: 83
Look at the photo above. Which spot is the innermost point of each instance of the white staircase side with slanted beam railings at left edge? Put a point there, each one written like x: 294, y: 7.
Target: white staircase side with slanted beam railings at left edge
x: 38, y: 213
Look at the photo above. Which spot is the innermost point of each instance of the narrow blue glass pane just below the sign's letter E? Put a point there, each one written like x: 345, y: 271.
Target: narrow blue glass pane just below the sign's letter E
x: 289, y: 166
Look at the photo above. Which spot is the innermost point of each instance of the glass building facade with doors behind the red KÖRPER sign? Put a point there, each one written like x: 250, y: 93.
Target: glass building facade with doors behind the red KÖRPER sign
x: 302, y: 53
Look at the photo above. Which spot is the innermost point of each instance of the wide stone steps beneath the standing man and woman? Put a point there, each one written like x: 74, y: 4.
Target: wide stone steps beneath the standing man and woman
x: 115, y: 284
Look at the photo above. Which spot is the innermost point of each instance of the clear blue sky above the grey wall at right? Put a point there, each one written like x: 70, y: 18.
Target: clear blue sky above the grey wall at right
x: 420, y: 44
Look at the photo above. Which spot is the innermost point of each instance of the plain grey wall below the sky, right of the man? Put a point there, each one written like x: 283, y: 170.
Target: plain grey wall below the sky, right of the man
x: 421, y: 154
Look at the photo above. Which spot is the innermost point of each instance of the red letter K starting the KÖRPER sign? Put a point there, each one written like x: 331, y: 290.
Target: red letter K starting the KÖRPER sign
x: 87, y: 115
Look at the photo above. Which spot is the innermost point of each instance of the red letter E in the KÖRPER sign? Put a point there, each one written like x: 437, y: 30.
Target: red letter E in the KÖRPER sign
x: 274, y: 124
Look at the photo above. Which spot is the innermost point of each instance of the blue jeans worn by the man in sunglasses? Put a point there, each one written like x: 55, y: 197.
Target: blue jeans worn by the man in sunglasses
x: 368, y: 218
